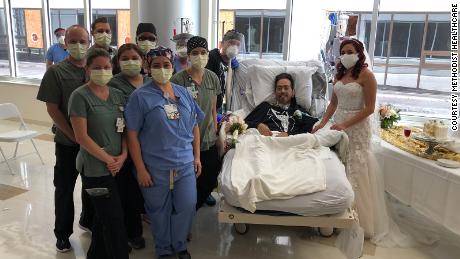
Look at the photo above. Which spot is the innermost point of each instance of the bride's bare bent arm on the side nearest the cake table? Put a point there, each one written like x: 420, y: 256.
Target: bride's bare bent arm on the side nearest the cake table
x: 370, y: 92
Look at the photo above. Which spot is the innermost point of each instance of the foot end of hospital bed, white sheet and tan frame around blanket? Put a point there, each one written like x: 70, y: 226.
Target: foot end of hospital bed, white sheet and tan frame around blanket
x: 328, y: 208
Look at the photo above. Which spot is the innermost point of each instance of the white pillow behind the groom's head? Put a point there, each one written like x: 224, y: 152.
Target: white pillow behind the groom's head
x: 262, y: 80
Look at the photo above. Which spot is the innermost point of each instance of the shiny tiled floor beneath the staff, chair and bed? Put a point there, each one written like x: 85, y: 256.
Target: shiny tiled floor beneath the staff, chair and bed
x: 26, y: 225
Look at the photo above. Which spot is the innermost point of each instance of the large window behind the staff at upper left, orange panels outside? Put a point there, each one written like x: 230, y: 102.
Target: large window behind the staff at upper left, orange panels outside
x: 31, y: 39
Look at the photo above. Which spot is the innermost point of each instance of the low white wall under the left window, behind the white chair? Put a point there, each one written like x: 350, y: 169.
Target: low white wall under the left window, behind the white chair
x: 25, y: 97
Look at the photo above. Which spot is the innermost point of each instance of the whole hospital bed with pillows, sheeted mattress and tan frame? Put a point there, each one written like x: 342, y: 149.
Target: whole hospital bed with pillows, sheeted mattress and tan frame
x: 332, y: 208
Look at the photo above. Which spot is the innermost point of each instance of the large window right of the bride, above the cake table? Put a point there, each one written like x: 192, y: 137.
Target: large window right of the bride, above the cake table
x: 416, y: 79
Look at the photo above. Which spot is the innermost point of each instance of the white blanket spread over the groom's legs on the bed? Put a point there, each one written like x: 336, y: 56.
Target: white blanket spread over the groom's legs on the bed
x: 269, y: 168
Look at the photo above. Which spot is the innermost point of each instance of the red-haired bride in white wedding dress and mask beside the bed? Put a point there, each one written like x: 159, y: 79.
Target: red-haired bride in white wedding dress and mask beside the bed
x: 352, y: 105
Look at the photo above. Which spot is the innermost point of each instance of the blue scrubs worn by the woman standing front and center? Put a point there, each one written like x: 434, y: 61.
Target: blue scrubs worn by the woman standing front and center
x: 167, y: 151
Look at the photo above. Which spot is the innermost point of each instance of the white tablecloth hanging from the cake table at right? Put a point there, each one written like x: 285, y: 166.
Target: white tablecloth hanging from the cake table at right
x: 432, y: 190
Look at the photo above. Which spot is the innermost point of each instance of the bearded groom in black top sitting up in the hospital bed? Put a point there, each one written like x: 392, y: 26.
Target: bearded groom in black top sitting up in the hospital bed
x: 283, y: 116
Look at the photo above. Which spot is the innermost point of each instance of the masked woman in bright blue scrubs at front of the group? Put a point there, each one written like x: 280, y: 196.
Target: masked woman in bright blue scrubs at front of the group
x: 164, y: 143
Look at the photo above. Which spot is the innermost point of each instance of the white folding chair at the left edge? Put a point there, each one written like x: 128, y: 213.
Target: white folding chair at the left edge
x: 9, y: 111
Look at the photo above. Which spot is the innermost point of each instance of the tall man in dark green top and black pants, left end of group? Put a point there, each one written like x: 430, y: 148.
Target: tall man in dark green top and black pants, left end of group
x: 57, y: 85
